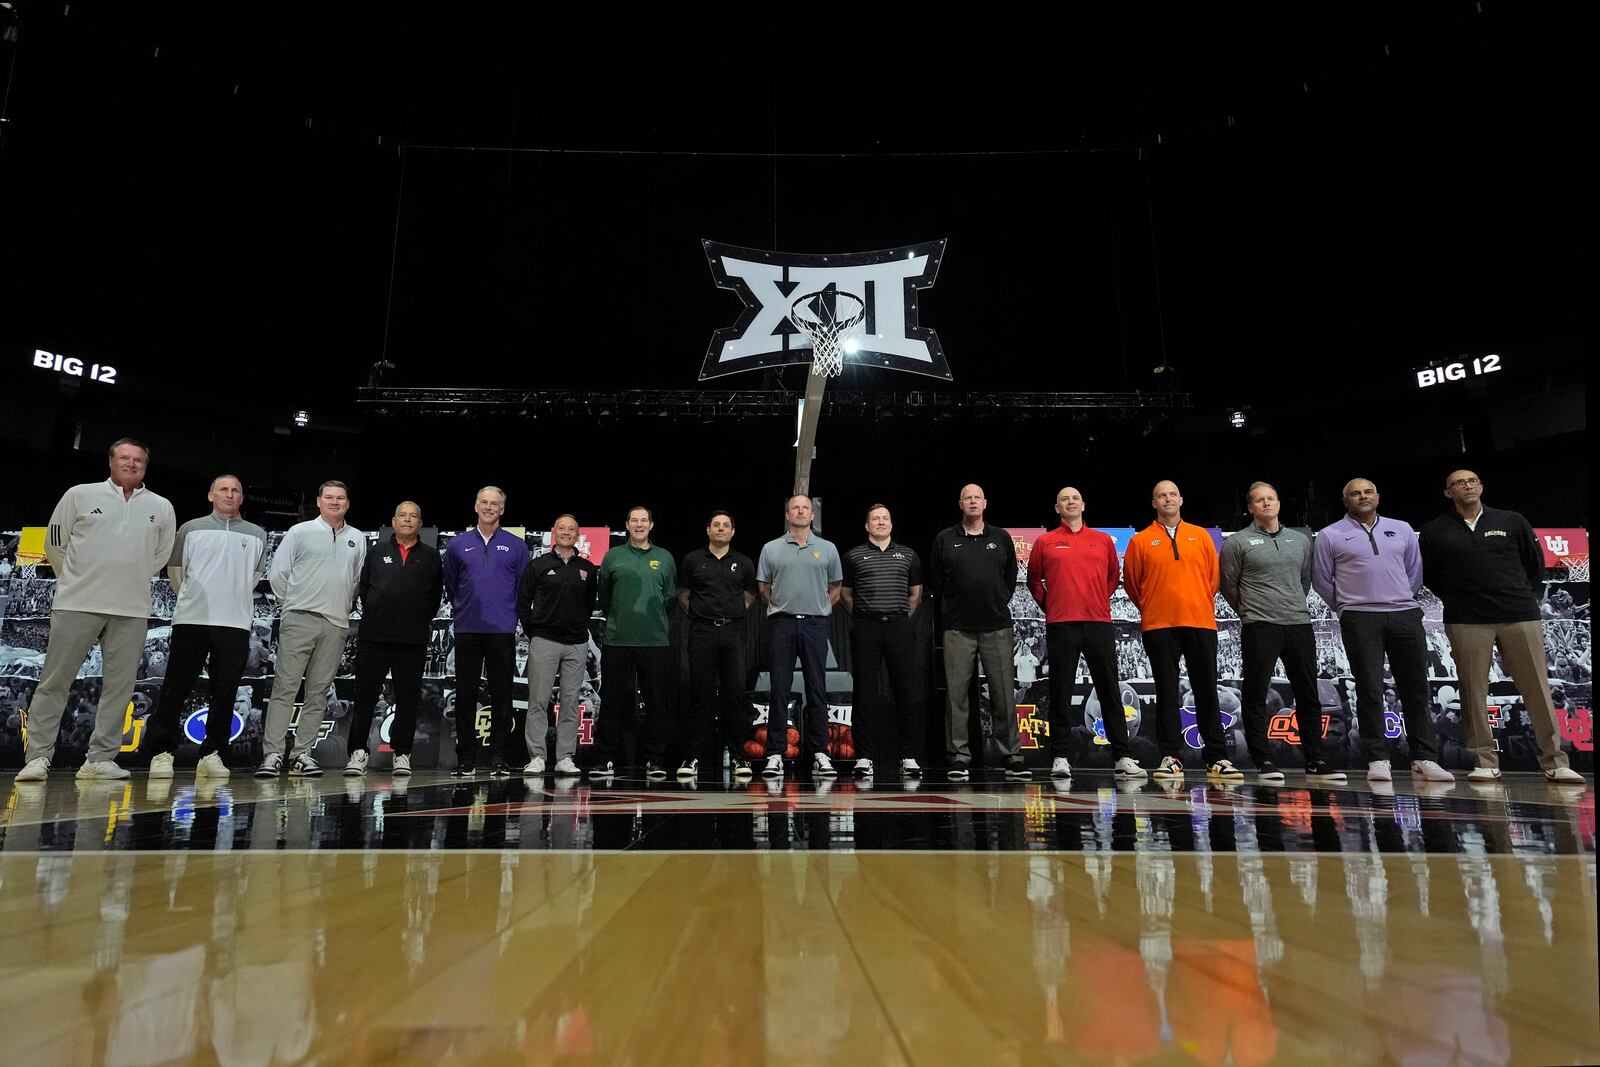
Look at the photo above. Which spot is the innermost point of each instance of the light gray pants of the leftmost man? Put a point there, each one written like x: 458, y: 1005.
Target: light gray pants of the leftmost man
x: 73, y: 634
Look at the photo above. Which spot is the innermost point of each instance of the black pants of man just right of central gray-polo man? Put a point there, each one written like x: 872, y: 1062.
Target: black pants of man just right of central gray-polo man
x: 878, y: 642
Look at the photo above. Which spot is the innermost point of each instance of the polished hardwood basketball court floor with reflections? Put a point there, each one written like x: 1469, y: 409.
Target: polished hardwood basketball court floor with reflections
x: 558, y: 921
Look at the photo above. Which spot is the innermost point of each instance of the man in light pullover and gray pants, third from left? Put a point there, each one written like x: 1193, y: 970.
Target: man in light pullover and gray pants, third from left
x: 314, y: 577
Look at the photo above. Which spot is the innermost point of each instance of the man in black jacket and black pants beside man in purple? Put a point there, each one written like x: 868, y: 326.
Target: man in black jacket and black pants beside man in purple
x: 399, y: 594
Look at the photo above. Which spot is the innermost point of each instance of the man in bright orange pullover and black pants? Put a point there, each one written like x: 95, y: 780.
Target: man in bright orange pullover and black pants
x: 1170, y: 572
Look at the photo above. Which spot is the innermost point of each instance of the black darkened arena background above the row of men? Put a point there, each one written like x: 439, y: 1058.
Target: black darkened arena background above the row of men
x: 1294, y: 206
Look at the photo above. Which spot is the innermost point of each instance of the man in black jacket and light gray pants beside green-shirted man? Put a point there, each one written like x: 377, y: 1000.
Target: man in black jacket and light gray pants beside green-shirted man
x: 556, y: 596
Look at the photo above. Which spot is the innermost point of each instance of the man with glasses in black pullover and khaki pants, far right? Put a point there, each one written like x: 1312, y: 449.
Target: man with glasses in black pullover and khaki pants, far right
x: 1487, y: 567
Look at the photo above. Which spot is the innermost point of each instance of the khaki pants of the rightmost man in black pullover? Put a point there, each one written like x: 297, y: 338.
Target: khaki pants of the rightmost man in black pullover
x: 1522, y: 652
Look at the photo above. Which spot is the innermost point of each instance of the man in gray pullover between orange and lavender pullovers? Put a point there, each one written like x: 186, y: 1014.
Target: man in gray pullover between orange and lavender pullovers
x: 1266, y: 575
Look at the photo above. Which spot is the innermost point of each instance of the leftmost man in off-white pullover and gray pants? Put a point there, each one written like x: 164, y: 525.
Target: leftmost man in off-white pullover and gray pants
x: 106, y: 541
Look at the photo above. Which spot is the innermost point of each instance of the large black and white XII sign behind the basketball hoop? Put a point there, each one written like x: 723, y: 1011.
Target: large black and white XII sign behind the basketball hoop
x: 886, y: 281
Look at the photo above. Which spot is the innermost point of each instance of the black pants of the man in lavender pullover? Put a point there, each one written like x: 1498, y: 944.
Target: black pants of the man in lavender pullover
x: 1369, y: 636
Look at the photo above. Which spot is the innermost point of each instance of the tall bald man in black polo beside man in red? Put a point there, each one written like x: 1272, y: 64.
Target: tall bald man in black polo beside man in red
x: 972, y: 570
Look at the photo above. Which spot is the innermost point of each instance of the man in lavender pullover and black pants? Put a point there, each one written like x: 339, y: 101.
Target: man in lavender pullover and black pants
x: 1369, y: 570
